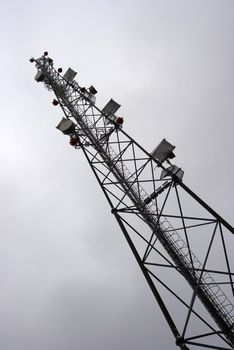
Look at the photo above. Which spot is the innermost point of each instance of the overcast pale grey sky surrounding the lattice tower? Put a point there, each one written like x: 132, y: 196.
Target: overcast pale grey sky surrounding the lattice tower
x: 68, y: 280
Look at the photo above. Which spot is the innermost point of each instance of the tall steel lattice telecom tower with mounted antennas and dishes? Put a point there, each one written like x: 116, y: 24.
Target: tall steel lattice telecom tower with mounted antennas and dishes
x: 182, y: 246
